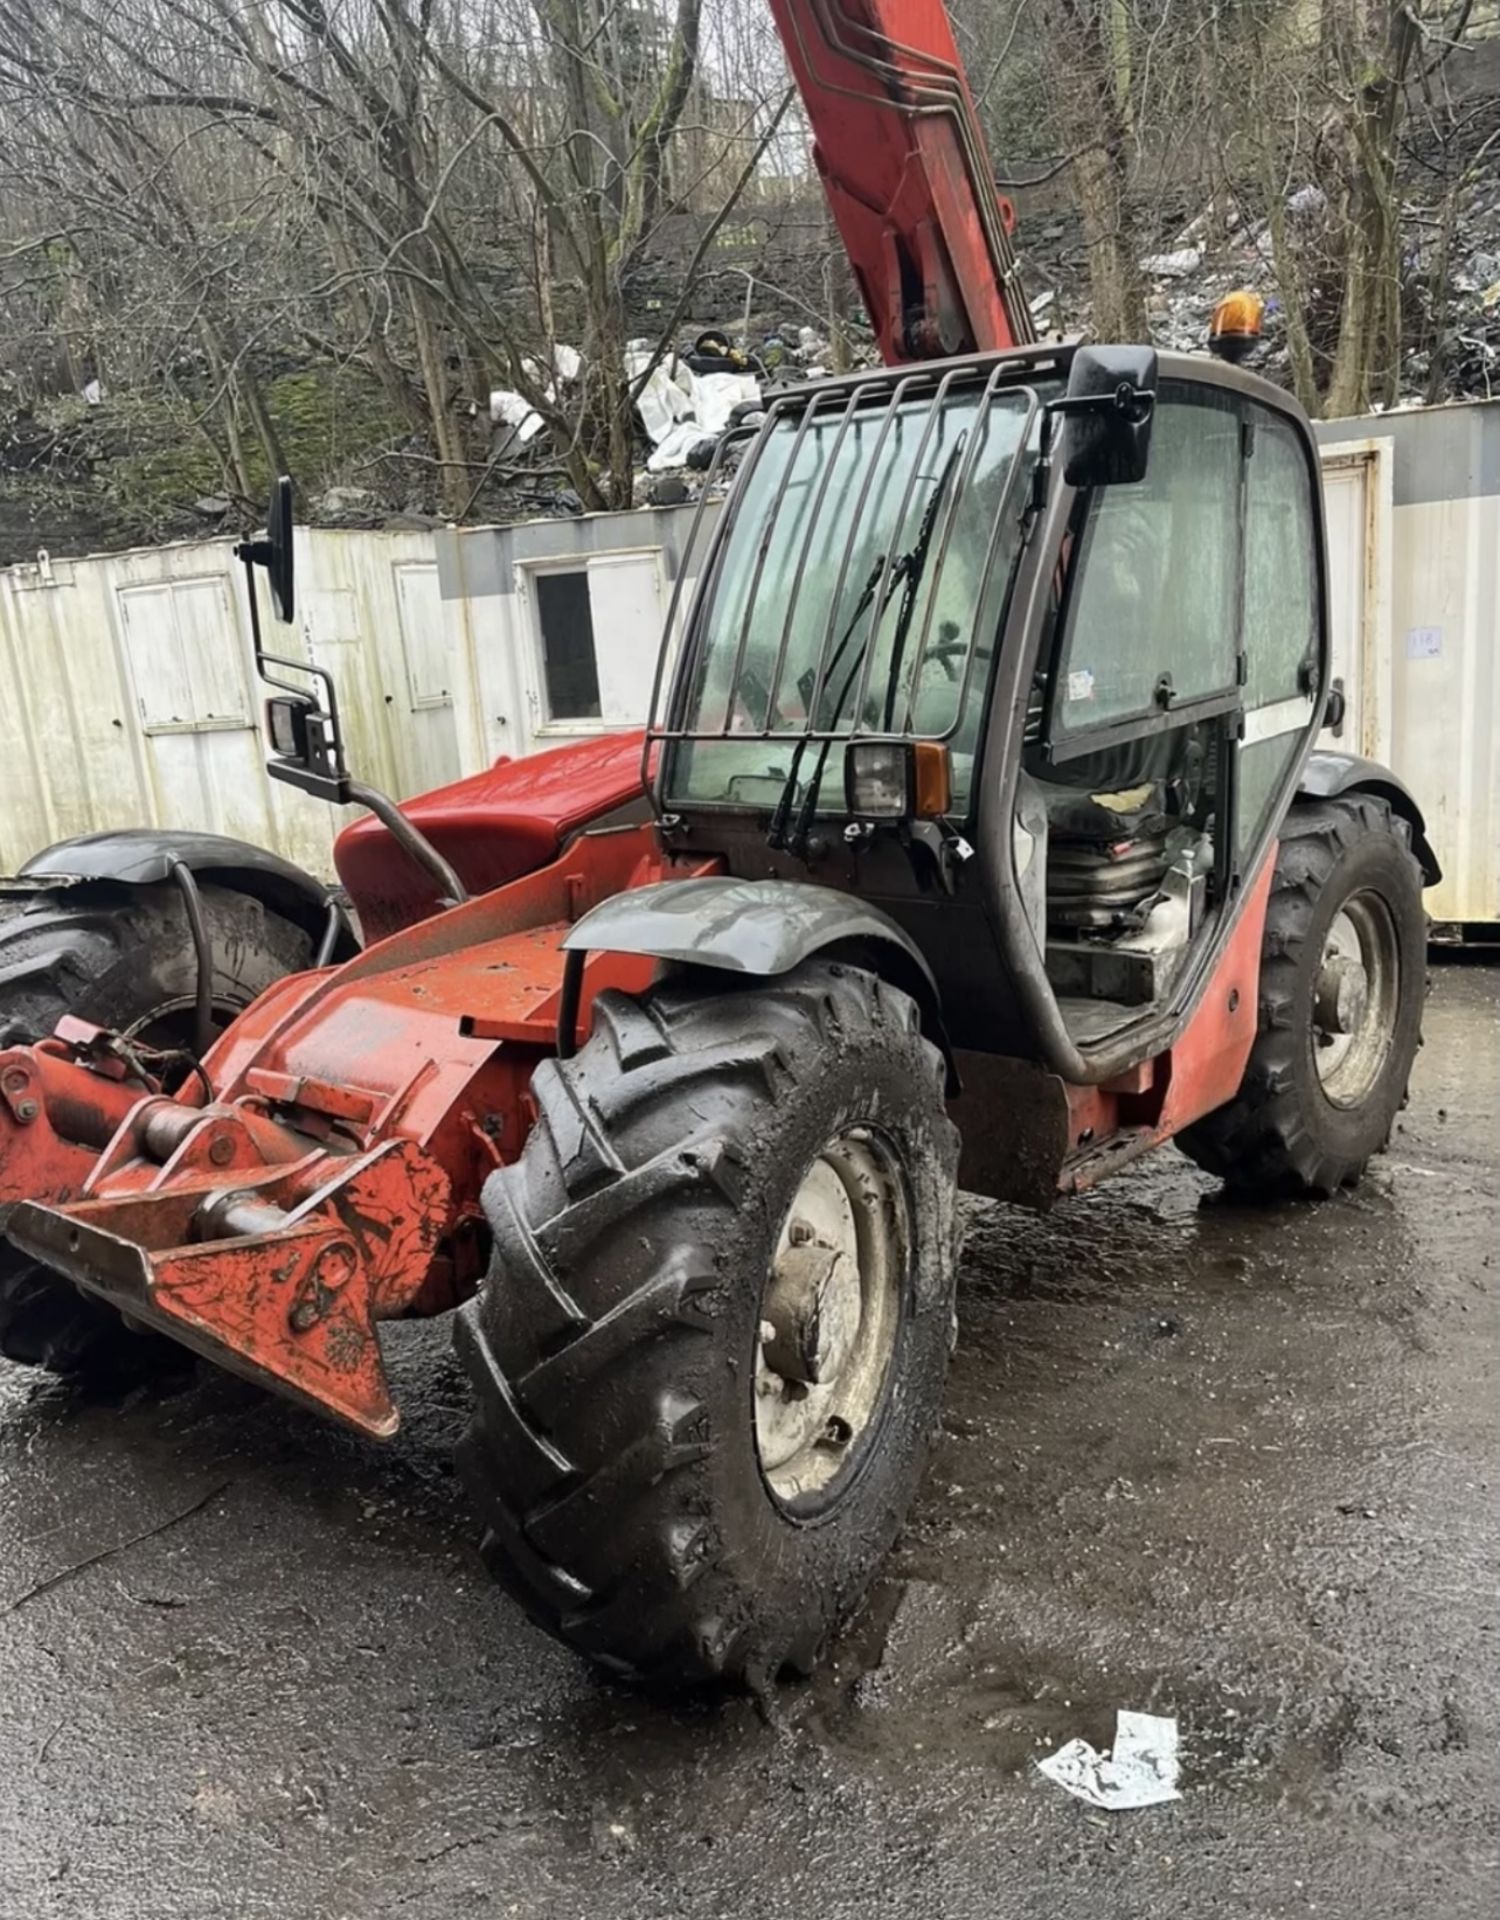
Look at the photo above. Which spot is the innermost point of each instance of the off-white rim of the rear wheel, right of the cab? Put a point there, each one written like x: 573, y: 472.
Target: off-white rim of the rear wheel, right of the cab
x: 1355, y: 1001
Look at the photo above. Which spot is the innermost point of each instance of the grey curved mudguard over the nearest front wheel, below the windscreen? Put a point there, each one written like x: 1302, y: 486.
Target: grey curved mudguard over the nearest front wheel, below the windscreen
x: 762, y: 928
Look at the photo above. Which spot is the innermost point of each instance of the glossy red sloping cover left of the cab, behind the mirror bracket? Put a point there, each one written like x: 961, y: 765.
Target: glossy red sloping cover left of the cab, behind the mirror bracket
x: 493, y: 827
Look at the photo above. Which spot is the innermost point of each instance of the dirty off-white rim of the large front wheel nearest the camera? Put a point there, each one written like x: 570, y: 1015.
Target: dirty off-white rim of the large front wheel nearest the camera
x: 831, y: 1314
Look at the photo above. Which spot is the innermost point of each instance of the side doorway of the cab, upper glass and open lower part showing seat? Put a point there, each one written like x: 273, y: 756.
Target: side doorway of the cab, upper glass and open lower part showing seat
x: 1173, y: 694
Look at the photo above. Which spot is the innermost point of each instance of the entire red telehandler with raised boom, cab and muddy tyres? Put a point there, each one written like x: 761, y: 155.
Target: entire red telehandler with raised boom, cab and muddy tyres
x: 979, y: 838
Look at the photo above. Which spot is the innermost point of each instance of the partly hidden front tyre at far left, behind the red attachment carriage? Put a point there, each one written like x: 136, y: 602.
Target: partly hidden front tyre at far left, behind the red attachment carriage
x: 120, y: 959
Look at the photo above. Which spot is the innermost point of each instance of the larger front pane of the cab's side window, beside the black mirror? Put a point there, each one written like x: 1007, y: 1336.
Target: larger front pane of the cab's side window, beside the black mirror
x: 1155, y: 581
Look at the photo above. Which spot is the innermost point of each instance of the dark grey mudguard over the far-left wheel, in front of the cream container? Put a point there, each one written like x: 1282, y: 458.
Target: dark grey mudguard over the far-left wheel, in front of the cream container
x: 145, y: 857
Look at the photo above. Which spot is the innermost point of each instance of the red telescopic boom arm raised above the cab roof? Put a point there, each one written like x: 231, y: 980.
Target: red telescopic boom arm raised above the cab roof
x: 902, y: 158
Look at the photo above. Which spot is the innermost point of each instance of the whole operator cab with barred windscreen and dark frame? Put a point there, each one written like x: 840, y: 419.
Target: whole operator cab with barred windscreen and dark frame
x: 1025, y: 650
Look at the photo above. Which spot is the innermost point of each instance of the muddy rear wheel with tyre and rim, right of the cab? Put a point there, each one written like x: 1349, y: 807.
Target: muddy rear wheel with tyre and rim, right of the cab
x: 1343, y: 978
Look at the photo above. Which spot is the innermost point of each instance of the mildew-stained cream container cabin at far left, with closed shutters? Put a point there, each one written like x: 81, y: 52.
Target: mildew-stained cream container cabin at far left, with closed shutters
x: 130, y: 692
